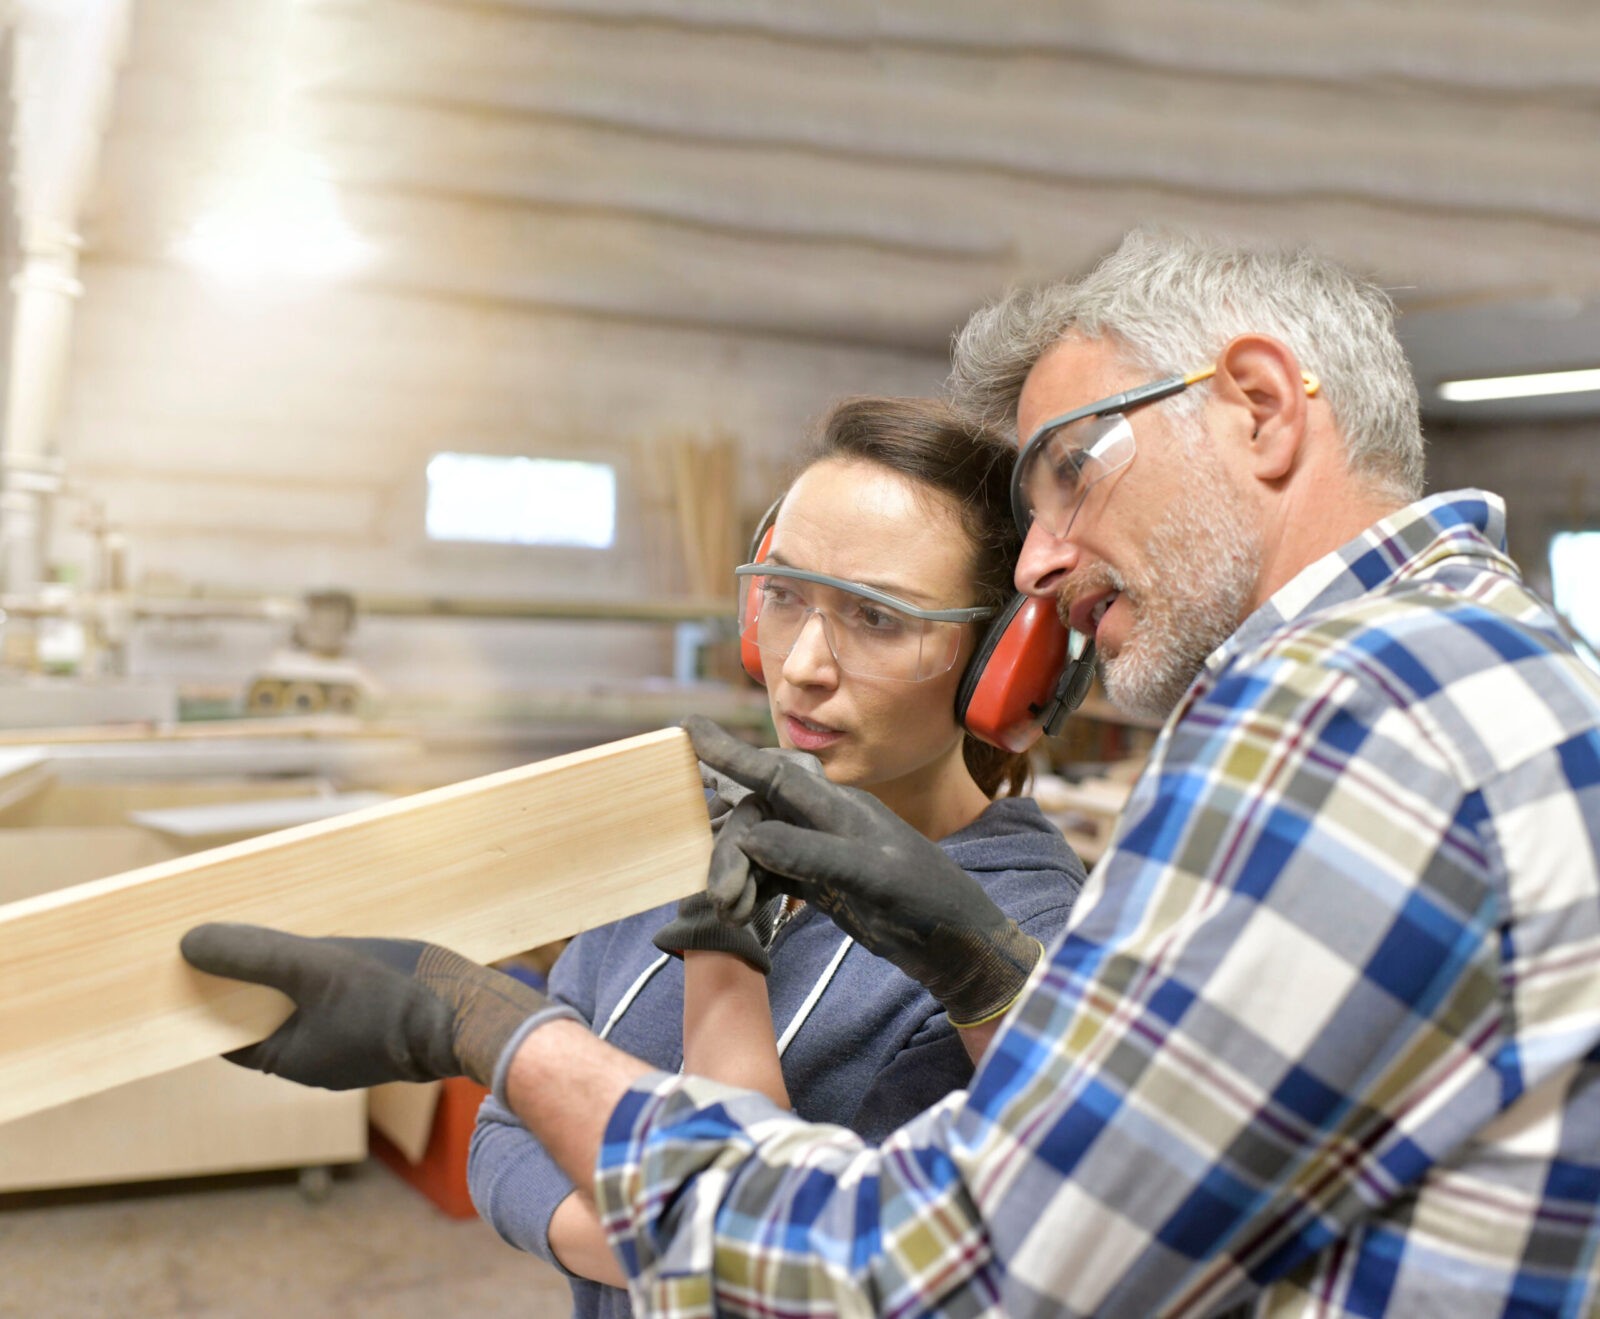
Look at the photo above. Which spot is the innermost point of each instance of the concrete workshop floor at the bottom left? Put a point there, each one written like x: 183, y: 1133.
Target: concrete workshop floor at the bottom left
x: 255, y: 1246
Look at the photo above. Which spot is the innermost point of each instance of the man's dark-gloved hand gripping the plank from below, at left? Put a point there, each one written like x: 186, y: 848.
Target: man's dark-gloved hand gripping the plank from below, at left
x: 369, y: 1011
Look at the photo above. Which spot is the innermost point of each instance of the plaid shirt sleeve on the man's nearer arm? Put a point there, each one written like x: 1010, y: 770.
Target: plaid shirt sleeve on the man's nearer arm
x: 1278, y: 1006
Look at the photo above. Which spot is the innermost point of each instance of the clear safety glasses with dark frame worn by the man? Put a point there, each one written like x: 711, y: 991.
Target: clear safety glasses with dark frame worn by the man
x: 1073, y: 454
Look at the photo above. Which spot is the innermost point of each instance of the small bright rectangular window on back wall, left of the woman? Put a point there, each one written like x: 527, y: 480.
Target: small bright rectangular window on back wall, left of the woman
x: 478, y: 497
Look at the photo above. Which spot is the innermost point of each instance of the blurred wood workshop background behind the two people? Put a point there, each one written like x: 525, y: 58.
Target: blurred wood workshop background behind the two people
x: 388, y: 390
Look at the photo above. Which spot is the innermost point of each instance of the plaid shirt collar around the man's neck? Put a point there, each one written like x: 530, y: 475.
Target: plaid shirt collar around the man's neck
x: 1404, y: 545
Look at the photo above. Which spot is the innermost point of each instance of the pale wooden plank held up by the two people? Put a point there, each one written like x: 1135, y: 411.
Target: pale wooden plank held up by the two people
x: 94, y: 992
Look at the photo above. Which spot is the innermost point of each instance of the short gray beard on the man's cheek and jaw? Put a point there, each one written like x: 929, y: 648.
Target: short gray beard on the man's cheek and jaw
x: 1201, y: 569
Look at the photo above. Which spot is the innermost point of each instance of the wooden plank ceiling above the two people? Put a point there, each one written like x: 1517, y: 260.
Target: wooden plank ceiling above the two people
x: 866, y: 174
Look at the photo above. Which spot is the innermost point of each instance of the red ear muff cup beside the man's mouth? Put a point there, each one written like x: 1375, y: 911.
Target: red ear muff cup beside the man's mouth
x: 1025, y: 680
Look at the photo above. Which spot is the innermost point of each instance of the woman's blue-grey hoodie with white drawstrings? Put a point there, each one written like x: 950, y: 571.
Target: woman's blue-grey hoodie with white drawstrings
x: 863, y: 1046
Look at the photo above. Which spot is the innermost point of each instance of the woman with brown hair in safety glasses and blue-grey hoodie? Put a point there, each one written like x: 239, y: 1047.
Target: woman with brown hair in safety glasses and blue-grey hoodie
x: 887, y: 563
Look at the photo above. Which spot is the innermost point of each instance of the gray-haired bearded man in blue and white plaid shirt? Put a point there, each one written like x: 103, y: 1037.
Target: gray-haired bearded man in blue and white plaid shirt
x: 1324, y: 1033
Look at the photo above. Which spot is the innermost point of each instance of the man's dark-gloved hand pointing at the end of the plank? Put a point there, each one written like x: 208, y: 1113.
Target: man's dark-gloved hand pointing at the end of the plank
x: 881, y: 881
